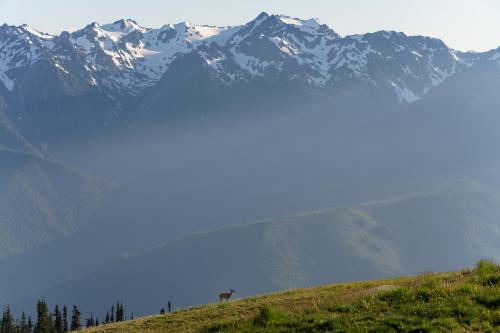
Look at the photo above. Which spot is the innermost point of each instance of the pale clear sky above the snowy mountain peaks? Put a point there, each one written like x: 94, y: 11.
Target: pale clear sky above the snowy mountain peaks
x: 462, y: 24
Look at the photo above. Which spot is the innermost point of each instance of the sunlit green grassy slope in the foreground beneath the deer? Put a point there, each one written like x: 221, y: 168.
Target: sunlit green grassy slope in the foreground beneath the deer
x: 465, y: 301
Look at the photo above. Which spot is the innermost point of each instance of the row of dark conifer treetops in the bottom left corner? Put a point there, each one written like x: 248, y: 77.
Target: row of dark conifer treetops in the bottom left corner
x: 57, y: 321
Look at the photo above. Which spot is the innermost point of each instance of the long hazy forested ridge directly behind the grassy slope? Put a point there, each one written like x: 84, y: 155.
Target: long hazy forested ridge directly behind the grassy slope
x: 447, y: 227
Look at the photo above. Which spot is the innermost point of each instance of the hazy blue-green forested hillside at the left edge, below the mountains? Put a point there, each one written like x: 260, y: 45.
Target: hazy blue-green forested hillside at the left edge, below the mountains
x: 41, y: 200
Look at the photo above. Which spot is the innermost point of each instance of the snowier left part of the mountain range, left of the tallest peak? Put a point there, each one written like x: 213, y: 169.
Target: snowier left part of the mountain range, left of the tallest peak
x: 122, y: 55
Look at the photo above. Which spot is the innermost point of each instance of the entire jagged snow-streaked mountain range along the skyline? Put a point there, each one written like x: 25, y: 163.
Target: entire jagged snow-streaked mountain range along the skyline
x: 125, y: 58
